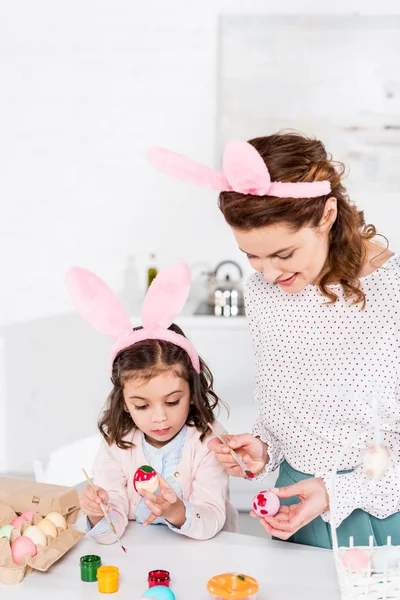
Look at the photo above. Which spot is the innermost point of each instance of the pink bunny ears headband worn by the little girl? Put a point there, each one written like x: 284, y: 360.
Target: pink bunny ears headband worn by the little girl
x: 164, y: 300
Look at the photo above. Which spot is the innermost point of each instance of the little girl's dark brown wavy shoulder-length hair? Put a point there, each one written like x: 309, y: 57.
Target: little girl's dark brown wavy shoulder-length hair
x: 148, y: 359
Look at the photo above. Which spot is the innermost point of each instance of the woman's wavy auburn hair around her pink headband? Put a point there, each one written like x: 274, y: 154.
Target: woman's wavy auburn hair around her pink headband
x: 292, y: 157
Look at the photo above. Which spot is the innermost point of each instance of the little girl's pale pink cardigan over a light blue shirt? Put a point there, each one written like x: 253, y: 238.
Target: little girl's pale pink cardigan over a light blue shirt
x: 204, y: 483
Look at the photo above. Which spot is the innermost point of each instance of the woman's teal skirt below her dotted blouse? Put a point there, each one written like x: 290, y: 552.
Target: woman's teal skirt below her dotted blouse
x: 358, y: 524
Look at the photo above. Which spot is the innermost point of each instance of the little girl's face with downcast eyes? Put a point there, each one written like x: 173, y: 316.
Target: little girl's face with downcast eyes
x: 159, y: 407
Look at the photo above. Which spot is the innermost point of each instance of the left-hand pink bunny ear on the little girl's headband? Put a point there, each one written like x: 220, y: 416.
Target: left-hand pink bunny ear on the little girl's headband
x: 96, y: 303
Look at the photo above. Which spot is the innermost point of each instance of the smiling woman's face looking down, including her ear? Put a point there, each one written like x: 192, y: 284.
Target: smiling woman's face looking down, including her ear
x: 289, y: 259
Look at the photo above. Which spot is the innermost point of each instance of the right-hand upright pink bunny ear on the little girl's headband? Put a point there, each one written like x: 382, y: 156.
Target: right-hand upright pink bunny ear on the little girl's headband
x: 166, y: 297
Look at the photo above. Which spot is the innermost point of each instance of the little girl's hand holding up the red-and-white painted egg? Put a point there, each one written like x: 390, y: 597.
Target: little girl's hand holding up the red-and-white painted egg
x: 167, y: 504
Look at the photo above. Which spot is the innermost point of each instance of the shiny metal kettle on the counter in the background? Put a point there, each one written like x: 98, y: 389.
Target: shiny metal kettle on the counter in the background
x: 225, y: 296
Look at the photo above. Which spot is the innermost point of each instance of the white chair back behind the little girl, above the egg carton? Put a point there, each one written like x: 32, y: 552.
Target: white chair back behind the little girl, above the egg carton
x: 64, y: 466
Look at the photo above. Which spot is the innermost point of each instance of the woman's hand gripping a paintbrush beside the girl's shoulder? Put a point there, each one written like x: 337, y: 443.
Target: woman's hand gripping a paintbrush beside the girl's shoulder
x: 251, y: 450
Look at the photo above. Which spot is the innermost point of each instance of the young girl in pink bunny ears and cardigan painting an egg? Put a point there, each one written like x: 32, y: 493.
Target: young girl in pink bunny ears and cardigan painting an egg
x: 157, y: 414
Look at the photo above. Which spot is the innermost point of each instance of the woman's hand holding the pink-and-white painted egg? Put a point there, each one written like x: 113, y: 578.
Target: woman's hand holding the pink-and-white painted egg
x: 314, y: 500
